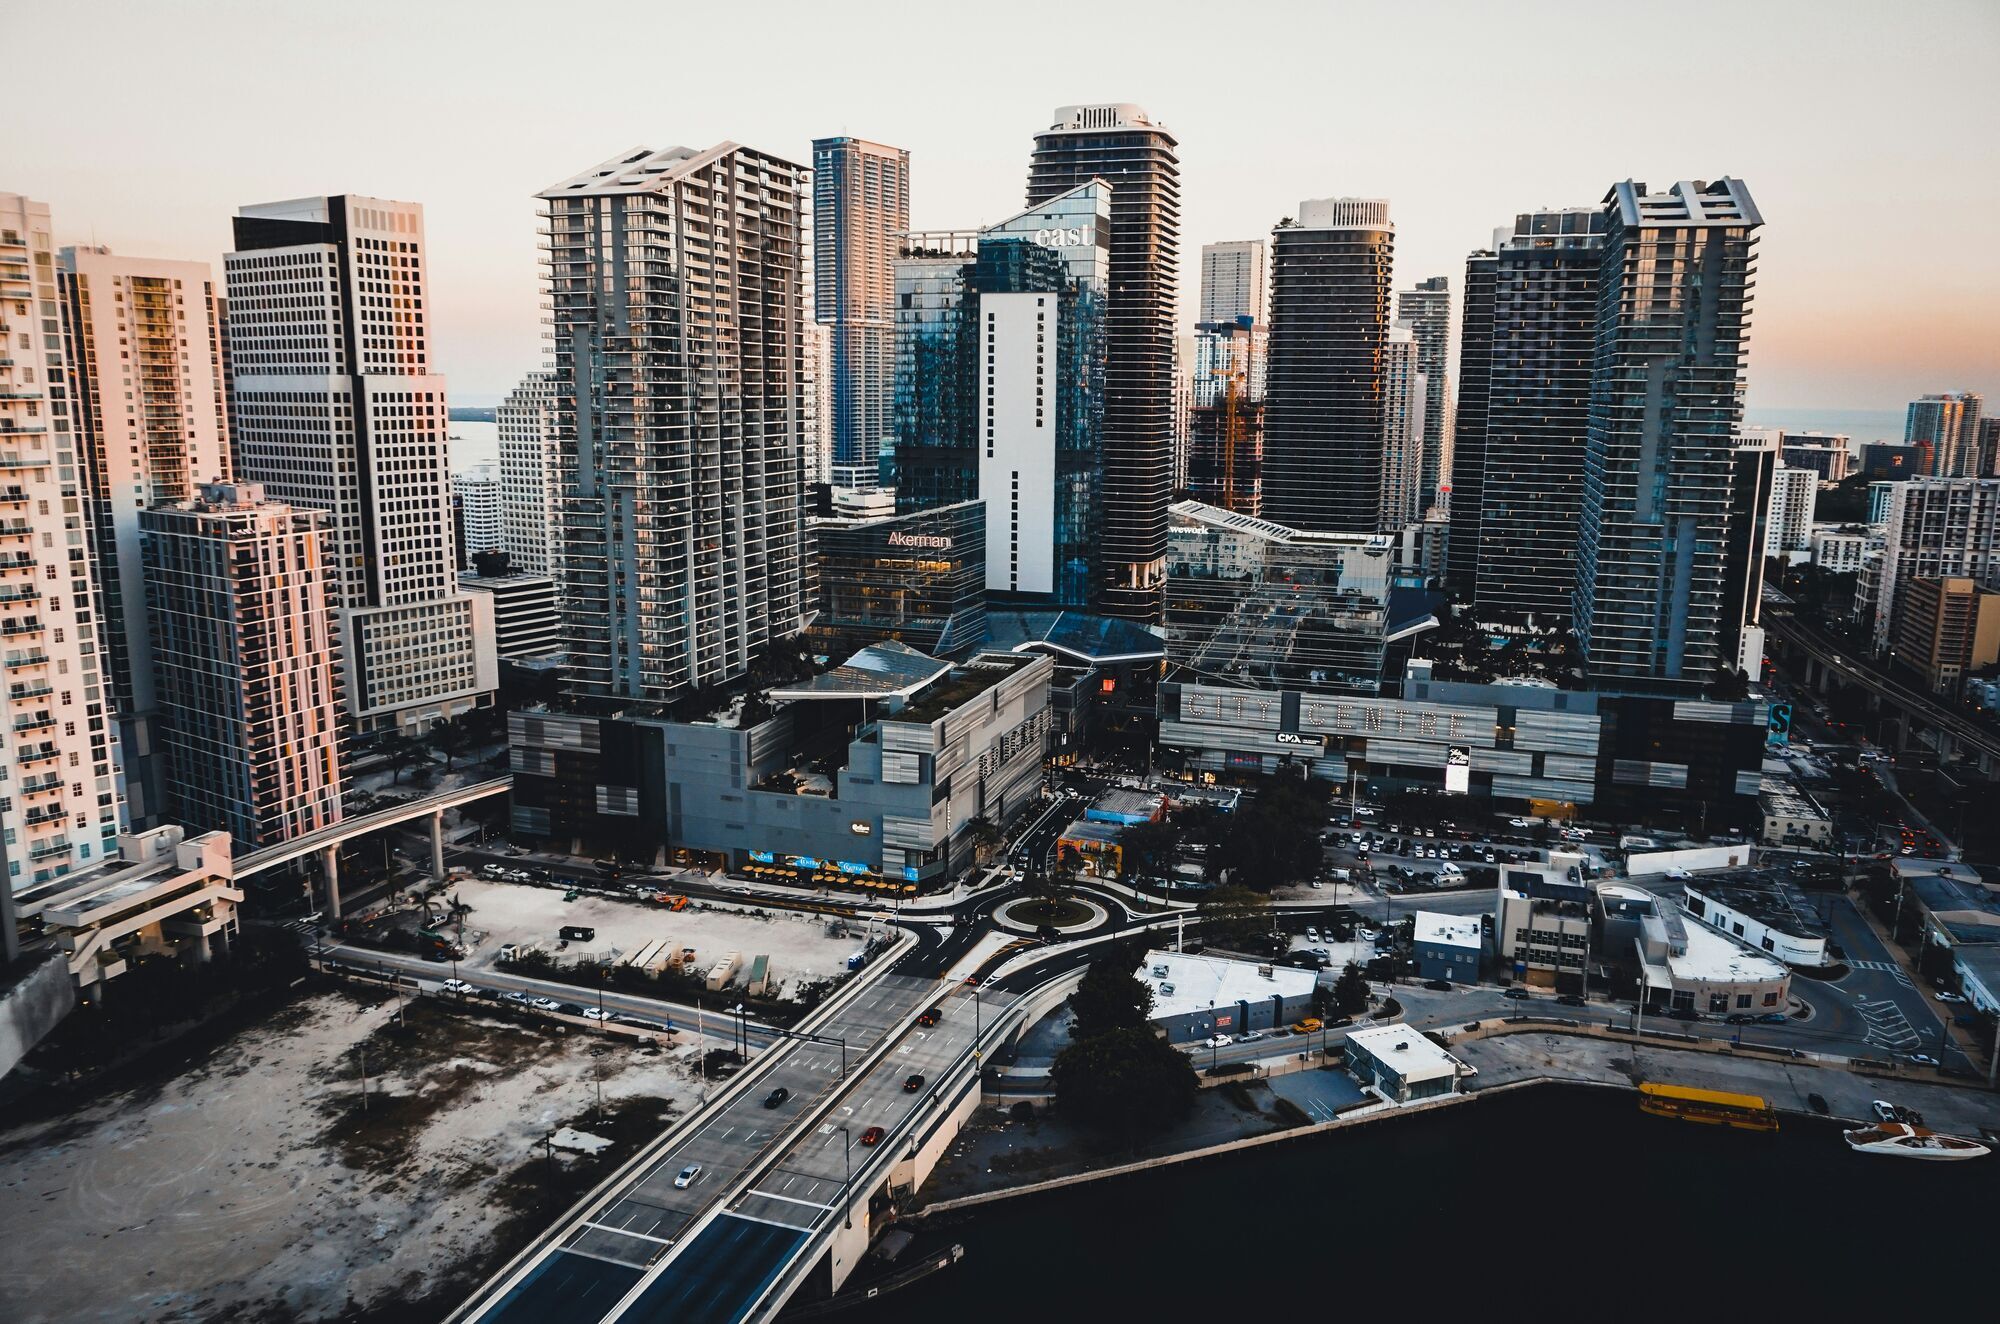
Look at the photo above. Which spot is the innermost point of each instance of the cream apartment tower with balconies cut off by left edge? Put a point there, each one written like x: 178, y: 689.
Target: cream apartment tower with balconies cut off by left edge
x: 61, y: 807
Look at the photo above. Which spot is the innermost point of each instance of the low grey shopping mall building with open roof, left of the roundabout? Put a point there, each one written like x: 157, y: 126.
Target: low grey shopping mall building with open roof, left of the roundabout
x: 873, y: 771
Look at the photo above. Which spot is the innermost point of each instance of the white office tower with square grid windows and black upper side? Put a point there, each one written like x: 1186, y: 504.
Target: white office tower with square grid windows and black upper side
x: 335, y: 407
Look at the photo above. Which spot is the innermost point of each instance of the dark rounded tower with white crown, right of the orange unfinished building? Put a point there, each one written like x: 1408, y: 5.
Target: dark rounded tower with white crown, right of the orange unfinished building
x: 1329, y: 333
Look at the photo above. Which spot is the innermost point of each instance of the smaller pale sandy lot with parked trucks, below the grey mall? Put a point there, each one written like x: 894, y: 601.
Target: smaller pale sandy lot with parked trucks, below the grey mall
x: 801, y: 947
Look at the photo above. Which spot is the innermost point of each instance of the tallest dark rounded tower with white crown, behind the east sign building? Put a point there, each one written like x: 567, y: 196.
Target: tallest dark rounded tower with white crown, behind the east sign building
x: 1129, y: 151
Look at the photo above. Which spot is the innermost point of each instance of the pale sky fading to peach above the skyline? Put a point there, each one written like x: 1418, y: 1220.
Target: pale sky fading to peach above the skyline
x: 1867, y: 133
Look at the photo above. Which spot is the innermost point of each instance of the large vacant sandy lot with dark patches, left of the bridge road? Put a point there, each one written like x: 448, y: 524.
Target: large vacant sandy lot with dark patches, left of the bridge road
x: 255, y: 1189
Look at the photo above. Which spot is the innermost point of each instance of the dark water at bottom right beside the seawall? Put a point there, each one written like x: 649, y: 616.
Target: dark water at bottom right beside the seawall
x: 1549, y: 1201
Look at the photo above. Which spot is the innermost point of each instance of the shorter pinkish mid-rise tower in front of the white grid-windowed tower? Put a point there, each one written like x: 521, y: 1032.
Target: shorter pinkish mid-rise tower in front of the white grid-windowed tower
x: 247, y: 663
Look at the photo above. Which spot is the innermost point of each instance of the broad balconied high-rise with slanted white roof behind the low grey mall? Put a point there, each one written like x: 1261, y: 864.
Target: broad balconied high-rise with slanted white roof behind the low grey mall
x: 677, y: 299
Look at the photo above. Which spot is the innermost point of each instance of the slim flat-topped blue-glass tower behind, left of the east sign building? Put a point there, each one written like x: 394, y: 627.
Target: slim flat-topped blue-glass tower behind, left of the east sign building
x: 861, y: 203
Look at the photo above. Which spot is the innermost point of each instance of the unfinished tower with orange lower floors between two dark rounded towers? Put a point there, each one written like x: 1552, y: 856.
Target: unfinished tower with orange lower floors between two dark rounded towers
x: 1227, y: 415
